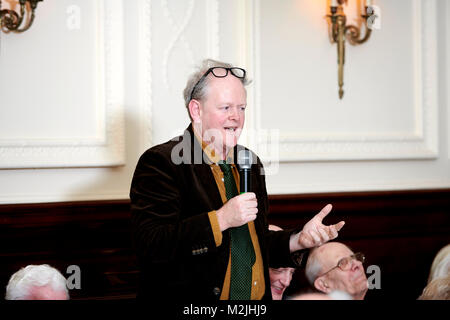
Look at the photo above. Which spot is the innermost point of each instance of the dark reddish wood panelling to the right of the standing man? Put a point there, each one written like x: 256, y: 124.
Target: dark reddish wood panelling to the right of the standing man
x: 399, y: 231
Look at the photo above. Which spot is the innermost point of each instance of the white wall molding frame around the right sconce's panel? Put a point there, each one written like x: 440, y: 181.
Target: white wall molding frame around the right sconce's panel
x: 422, y: 143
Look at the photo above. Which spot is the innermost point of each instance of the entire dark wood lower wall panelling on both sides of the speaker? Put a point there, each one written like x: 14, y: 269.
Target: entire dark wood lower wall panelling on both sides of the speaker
x: 399, y: 231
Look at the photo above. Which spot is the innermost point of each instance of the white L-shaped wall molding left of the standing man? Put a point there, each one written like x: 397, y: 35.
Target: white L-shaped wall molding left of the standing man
x: 106, y: 149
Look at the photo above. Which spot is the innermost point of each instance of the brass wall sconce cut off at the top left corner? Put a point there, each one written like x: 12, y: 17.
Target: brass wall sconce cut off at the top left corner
x: 10, y: 20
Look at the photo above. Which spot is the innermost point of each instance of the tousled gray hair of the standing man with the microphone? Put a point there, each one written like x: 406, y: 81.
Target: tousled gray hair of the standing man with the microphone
x: 202, y: 86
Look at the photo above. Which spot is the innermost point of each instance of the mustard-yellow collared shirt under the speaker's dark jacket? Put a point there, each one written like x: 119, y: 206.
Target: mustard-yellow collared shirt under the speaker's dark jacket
x: 258, y: 284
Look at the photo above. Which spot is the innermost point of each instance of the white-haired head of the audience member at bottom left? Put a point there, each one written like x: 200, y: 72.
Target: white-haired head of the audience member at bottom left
x: 37, y: 282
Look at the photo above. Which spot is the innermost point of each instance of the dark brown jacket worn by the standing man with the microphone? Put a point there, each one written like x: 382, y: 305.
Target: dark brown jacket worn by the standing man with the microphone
x: 172, y: 191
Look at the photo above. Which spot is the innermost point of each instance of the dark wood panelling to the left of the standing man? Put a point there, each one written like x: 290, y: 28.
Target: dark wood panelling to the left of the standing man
x: 93, y: 235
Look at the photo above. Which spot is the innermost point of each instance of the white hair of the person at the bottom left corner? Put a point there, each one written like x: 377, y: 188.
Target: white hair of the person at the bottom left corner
x: 23, y: 281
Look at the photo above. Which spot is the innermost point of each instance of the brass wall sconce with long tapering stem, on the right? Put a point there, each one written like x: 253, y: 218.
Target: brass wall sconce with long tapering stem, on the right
x: 339, y: 31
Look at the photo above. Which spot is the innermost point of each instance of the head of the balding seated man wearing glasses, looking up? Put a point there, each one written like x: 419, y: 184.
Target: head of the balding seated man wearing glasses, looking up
x: 333, y: 266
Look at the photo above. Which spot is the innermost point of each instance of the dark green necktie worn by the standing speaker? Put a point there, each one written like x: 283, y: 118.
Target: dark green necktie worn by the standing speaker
x: 242, y: 252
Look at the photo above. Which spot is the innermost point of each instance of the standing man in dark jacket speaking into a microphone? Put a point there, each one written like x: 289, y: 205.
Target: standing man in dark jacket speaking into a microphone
x: 196, y: 237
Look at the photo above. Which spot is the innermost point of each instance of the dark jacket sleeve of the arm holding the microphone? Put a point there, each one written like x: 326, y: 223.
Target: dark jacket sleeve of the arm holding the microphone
x: 164, y: 230
